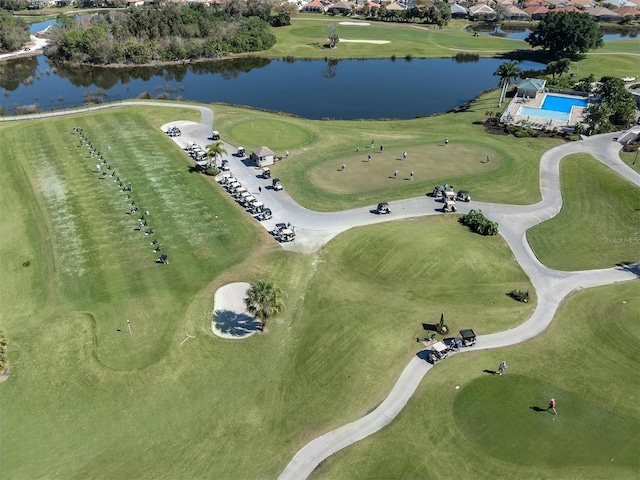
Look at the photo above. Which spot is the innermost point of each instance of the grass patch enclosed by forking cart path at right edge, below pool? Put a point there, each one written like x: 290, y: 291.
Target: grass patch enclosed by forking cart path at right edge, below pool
x: 599, y: 223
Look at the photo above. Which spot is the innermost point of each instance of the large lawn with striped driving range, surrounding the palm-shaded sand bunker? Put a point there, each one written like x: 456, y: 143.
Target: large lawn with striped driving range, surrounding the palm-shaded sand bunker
x: 90, y: 400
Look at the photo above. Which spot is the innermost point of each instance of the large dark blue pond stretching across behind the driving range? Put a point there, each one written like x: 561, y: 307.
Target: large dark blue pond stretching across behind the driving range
x: 315, y: 89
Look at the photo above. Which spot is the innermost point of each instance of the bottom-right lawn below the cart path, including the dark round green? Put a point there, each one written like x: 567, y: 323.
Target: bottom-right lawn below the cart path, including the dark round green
x: 486, y: 429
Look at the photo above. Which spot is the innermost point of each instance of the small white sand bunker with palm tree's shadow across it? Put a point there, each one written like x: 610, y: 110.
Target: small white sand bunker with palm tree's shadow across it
x: 230, y: 317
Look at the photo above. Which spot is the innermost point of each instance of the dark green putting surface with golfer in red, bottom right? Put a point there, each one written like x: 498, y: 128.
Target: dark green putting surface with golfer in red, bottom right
x: 506, y: 417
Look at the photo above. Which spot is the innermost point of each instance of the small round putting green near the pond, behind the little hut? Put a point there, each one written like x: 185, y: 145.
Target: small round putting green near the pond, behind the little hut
x: 275, y: 133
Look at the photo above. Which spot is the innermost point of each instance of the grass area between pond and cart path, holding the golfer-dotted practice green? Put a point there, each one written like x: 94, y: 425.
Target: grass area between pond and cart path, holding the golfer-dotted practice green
x: 310, y: 175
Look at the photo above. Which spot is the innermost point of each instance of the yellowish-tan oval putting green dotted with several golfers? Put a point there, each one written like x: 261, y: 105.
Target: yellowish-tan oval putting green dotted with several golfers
x: 427, y: 161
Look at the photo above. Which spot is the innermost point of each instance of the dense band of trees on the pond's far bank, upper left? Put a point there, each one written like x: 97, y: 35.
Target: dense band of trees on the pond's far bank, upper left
x: 169, y: 32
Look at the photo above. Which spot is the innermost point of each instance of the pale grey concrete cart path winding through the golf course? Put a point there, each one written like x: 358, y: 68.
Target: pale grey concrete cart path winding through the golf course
x: 314, y: 229
